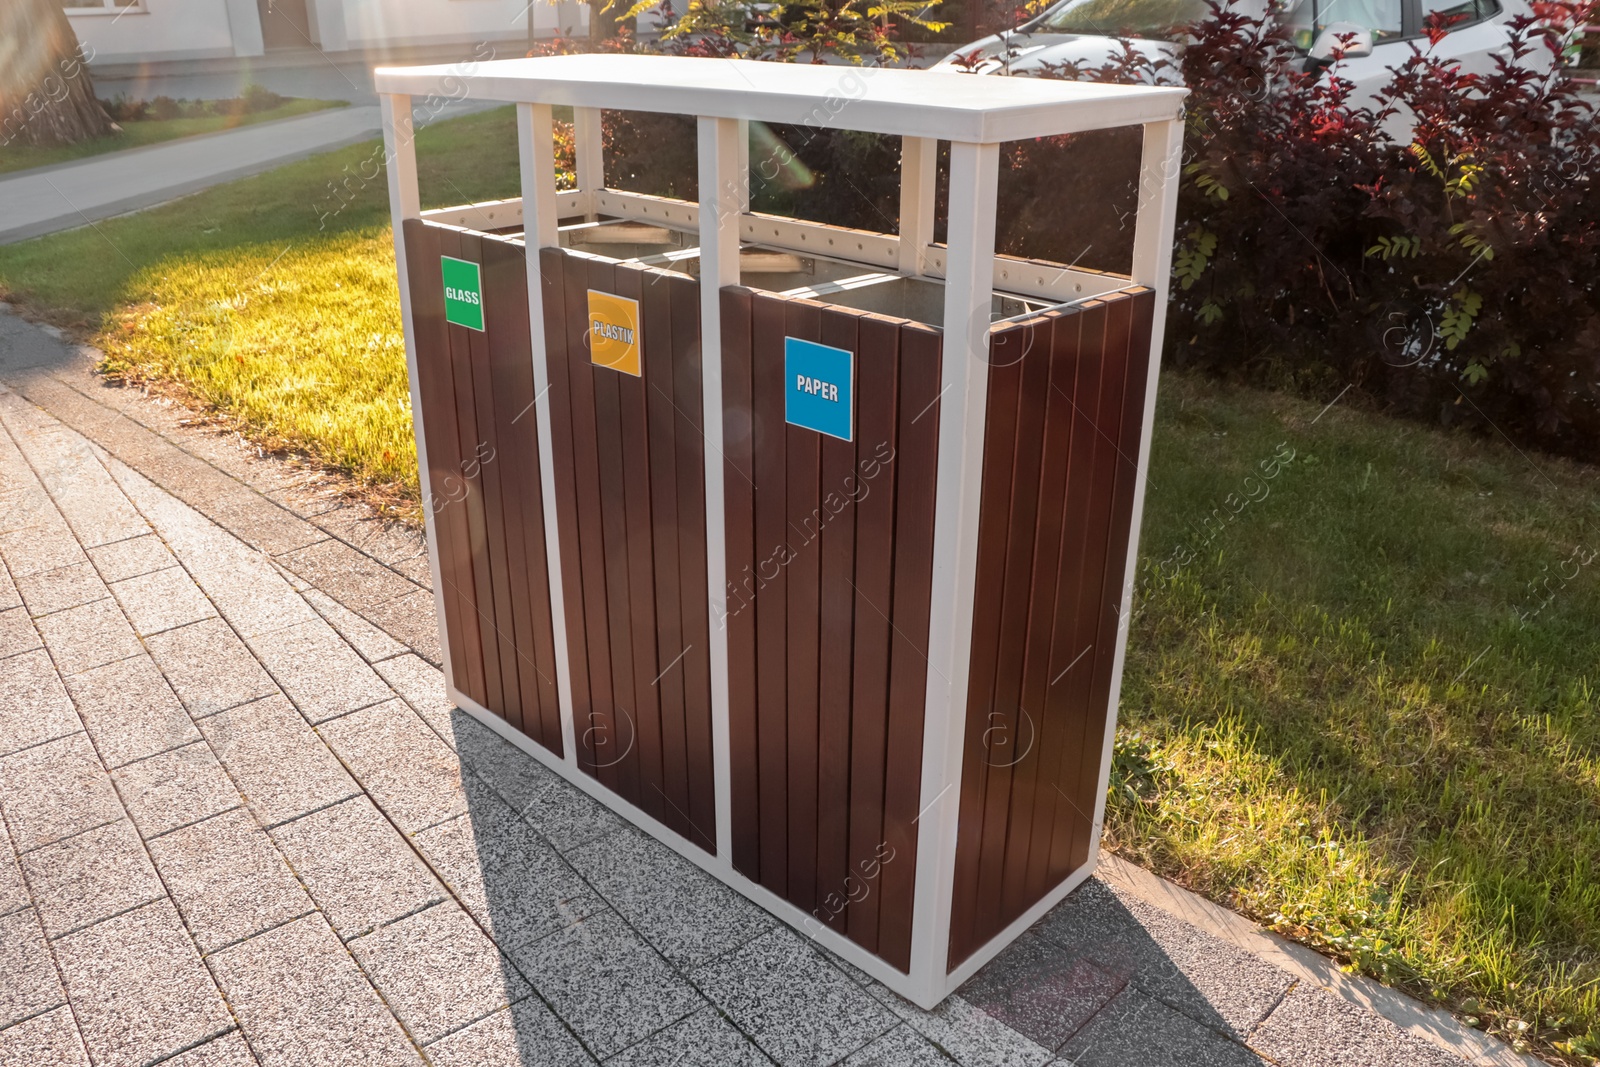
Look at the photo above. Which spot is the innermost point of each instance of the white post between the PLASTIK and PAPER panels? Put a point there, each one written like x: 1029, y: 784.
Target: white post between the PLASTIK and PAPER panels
x: 719, y: 209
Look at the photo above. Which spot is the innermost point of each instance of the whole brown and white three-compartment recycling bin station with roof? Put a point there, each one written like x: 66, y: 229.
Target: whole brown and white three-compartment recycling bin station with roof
x: 806, y: 549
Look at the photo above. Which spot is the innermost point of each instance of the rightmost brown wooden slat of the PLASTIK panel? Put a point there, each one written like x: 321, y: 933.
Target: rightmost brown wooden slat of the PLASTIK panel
x: 692, y: 557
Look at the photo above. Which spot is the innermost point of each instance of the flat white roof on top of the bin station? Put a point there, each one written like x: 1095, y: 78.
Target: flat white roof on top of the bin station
x: 945, y: 105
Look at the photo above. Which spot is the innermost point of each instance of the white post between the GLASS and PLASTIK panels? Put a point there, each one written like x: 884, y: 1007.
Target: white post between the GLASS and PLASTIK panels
x: 537, y: 153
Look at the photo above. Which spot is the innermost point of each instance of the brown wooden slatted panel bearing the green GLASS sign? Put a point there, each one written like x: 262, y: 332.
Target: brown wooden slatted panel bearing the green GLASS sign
x: 484, y: 468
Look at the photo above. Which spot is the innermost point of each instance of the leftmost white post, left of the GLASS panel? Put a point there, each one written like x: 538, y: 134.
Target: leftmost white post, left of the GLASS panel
x: 406, y: 204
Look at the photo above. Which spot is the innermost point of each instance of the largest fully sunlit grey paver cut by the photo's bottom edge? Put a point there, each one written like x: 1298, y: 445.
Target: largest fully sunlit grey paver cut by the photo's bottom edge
x: 303, y: 1002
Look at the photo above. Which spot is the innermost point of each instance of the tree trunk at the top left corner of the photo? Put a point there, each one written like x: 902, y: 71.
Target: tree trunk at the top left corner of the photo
x: 46, y: 90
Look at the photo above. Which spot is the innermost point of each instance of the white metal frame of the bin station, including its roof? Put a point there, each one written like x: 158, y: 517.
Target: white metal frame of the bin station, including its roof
x: 977, y: 116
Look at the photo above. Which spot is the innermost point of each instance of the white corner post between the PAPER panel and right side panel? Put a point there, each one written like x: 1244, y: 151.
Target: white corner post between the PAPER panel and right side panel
x: 969, y: 284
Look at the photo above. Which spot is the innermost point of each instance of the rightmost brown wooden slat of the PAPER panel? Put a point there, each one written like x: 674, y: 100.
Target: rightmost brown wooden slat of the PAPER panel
x: 914, y: 505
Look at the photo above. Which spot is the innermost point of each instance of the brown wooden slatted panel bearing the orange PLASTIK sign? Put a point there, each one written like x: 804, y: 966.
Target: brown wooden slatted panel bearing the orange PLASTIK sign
x: 631, y: 513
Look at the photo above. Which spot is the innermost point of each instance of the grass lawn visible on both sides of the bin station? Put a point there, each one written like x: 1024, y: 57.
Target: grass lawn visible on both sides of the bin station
x: 1361, y: 711
